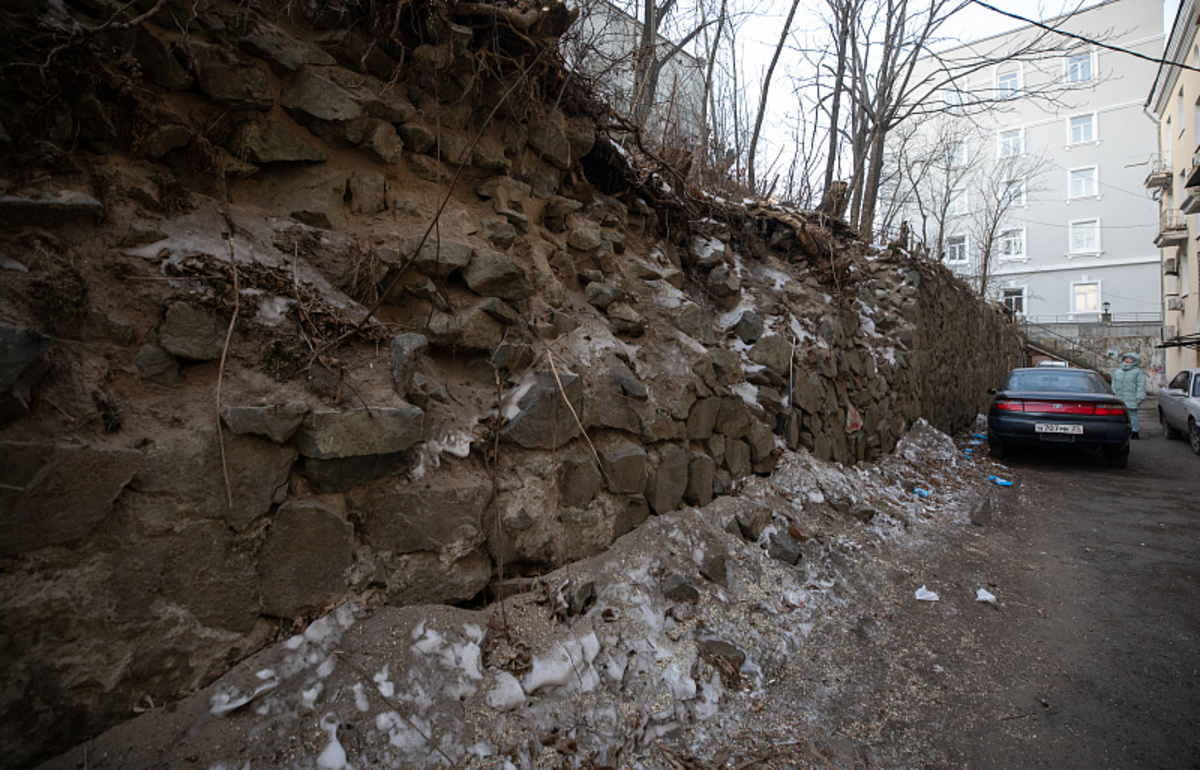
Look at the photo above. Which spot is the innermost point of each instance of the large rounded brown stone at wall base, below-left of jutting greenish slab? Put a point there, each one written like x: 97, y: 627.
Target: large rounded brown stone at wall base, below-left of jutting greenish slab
x: 309, y: 551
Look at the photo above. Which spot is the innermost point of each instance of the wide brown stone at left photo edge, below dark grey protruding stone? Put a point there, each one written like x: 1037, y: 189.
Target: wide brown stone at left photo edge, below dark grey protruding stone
x: 57, y: 494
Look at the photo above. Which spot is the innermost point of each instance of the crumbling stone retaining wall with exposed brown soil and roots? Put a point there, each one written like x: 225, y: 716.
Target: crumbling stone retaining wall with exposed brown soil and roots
x: 322, y: 303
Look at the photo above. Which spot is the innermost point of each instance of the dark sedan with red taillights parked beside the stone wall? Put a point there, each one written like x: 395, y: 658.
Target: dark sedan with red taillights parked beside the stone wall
x: 1059, y: 408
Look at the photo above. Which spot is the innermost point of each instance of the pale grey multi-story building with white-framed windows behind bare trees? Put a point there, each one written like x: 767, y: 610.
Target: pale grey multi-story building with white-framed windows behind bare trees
x: 1043, y: 202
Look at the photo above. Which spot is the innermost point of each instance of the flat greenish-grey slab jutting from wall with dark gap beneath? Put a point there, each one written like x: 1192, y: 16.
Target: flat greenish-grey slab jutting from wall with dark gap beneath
x: 329, y: 435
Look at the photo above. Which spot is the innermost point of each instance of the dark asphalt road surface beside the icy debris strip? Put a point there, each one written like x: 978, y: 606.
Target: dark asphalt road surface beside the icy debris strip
x: 1090, y: 659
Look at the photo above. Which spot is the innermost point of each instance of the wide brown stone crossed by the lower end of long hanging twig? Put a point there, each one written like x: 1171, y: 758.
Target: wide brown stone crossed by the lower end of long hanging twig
x: 189, y: 467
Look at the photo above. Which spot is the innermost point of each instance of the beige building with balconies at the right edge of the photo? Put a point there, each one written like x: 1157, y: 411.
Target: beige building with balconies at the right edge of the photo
x: 1174, y: 178
